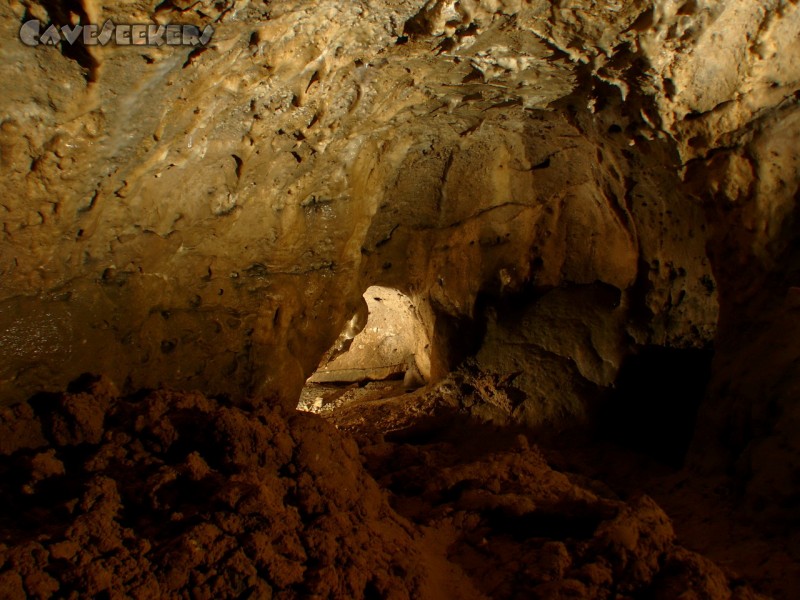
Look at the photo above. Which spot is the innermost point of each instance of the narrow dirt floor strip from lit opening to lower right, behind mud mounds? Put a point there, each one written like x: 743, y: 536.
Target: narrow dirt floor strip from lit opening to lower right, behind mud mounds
x: 705, y: 512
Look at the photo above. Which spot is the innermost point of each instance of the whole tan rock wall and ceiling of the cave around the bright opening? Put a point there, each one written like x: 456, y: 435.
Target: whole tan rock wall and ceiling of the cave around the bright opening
x: 209, y: 218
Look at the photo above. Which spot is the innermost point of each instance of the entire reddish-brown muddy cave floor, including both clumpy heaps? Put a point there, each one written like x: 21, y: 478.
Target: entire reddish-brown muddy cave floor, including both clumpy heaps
x: 175, y: 495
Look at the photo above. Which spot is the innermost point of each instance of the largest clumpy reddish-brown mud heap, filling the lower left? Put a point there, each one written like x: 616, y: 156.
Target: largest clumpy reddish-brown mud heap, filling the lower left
x: 177, y: 495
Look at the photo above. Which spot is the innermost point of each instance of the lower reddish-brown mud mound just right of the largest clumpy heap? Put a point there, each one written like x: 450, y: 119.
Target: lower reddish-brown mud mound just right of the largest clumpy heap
x: 520, y: 529
